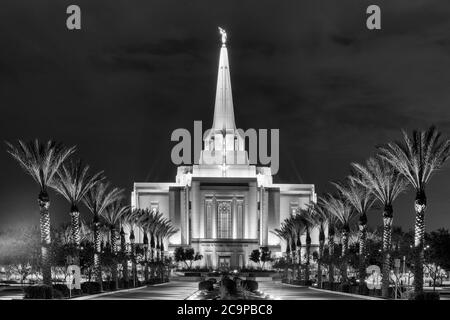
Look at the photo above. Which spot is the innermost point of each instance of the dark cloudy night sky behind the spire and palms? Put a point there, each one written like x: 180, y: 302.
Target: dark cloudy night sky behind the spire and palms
x: 140, y: 69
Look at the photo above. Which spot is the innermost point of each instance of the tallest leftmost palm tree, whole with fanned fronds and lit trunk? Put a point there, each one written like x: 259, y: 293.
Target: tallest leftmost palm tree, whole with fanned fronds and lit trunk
x: 41, y: 161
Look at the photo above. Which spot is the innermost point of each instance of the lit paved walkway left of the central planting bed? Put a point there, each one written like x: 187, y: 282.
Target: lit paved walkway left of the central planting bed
x: 174, y: 290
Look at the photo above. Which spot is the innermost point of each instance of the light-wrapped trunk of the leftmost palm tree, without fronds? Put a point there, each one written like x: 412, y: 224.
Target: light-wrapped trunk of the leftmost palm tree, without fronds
x: 44, y: 204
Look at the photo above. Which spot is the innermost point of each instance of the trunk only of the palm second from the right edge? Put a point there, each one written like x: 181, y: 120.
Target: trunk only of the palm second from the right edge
x: 387, y: 236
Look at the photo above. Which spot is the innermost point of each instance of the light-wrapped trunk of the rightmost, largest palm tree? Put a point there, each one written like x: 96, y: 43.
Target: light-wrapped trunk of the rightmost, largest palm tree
x: 419, y: 235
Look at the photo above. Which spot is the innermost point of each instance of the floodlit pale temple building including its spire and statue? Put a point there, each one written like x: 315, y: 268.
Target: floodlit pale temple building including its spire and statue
x: 226, y: 210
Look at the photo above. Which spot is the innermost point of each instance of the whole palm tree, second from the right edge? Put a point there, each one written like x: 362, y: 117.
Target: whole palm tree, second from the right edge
x: 386, y: 184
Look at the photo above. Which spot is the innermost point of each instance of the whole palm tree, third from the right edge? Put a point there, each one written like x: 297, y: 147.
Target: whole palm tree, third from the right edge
x: 361, y: 199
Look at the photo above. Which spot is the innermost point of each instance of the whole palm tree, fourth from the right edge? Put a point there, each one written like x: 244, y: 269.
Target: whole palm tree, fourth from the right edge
x: 344, y: 213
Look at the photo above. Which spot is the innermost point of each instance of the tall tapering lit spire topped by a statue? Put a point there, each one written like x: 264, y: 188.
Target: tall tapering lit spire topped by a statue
x: 223, y: 109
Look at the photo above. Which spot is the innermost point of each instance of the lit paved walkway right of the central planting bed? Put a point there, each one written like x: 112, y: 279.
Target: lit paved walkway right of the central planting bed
x: 281, y: 291
